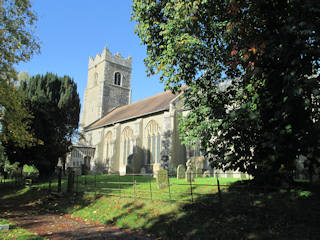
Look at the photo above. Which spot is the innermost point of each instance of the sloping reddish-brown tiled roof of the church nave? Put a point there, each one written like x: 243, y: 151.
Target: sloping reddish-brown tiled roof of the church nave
x: 153, y: 104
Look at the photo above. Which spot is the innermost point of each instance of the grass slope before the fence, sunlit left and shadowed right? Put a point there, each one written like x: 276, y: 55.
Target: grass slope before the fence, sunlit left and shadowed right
x: 241, y: 214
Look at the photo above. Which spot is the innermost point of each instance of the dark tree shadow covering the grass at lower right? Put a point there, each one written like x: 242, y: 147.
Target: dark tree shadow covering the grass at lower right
x: 244, y: 214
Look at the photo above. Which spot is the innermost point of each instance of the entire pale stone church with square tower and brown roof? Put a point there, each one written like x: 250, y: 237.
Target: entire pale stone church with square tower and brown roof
x: 139, y: 137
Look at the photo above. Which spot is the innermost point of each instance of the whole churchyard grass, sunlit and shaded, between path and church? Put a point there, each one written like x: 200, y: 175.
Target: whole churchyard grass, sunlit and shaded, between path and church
x: 240, y: 213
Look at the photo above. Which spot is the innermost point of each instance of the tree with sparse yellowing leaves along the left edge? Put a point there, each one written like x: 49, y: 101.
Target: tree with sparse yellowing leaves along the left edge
x: 17, y: 43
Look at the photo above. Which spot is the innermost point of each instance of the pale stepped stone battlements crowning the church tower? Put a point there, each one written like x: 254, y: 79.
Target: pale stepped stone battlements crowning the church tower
x: 106, y: 55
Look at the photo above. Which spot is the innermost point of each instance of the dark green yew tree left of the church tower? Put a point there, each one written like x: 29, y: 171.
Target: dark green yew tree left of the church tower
x: 55, y: 104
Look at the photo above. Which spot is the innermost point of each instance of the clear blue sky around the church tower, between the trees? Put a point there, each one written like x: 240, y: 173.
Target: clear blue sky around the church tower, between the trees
x: 72, y: 30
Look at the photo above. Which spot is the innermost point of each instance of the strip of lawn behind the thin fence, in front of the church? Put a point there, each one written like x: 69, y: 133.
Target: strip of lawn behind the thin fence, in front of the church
x: 144, y: 187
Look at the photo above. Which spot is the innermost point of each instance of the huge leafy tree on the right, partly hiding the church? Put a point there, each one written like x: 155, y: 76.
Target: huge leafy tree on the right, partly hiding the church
x: 252, y: 70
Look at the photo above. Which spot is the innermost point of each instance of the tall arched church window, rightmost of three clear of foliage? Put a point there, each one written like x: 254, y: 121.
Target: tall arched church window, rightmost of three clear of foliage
x: 153, y: 142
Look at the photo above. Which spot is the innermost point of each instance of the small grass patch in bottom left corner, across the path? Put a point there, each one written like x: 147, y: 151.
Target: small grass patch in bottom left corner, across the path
x: 15, y: 232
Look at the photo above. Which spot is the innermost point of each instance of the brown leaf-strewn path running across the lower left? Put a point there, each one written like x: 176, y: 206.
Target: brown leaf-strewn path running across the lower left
x: 45, y: 224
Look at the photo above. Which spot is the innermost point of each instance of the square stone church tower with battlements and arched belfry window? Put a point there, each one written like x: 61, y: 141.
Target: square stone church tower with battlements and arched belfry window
x: 108, y: 86
